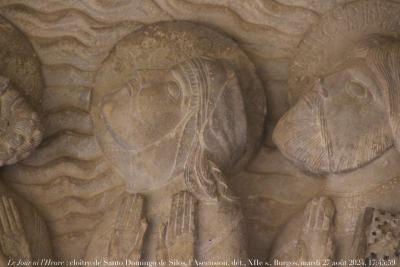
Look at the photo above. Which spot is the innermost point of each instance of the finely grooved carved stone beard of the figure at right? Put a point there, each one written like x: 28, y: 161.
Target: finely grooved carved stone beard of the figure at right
x: 303, y: 136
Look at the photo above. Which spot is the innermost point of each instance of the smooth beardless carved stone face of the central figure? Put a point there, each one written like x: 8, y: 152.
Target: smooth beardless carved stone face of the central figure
x: 141, y: 114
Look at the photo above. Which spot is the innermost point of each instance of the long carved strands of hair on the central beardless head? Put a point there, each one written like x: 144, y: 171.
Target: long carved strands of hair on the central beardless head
x: 220, y: 122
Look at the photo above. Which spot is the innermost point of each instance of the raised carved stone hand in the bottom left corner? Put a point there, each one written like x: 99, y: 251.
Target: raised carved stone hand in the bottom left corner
x: 13, y: 242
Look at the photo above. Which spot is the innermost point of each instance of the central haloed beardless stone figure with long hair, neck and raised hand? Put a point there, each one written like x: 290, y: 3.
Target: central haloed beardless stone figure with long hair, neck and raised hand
x: 179, y: 88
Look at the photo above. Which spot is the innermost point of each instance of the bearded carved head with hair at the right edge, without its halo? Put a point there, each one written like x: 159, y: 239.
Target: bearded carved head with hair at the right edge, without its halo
x: 351, y: 115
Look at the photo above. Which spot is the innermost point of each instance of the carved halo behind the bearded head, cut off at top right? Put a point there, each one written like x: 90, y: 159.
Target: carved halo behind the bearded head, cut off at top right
x: 337, y: 31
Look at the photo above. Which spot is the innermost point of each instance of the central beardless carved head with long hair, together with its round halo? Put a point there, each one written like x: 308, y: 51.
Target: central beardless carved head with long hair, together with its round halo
x: 177, y: 99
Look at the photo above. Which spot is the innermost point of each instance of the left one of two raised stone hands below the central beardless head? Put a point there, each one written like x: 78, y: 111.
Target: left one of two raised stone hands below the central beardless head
x: 129, y: 230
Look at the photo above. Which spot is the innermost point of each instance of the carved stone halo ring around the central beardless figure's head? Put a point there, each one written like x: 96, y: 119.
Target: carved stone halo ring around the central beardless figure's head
x: 162, y: 46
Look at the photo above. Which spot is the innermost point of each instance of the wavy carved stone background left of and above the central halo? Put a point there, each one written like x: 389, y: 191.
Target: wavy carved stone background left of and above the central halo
x: 72, y: 38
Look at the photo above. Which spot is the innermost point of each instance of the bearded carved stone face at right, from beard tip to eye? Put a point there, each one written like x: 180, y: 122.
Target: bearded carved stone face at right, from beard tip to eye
x: 339, y: 125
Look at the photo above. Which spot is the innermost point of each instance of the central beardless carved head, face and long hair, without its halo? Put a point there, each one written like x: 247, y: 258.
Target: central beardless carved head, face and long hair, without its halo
x: 189, y: 118
